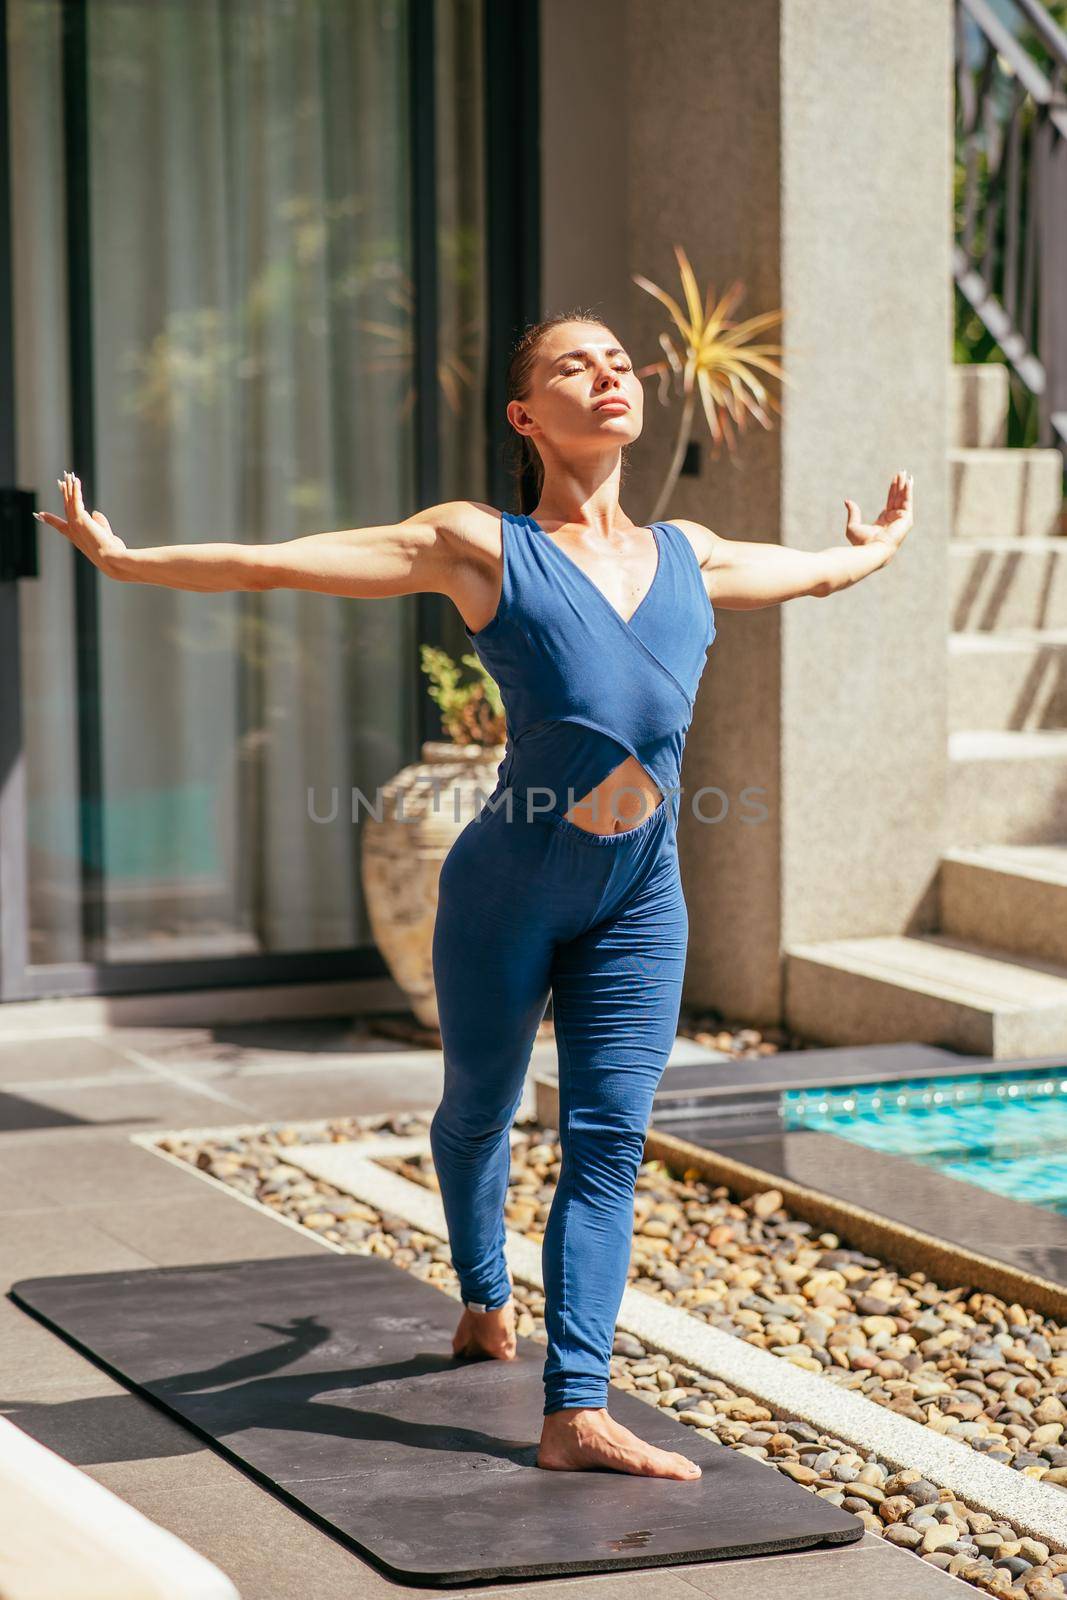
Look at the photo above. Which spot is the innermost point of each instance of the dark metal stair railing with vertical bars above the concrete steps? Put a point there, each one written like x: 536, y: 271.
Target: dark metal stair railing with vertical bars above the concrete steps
x: 1010, y: 257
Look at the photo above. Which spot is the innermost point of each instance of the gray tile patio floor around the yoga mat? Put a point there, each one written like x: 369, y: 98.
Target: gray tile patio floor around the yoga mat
x: 76, y: 1196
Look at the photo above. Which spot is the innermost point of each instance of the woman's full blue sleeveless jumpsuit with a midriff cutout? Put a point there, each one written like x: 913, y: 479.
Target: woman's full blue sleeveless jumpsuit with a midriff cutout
x: 532, y: 905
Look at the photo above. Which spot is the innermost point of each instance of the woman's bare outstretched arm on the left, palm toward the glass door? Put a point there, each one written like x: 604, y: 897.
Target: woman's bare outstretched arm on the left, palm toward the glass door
x: 394, y: 559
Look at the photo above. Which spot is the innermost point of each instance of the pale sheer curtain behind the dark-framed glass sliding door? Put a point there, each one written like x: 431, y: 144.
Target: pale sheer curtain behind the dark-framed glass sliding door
x: 252, y: 342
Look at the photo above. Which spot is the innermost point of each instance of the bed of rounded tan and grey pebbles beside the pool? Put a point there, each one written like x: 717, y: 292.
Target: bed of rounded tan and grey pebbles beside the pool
x: 756, y: 1273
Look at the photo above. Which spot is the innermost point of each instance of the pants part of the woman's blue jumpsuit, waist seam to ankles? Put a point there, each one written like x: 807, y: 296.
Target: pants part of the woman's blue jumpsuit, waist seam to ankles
x: 529, y: 906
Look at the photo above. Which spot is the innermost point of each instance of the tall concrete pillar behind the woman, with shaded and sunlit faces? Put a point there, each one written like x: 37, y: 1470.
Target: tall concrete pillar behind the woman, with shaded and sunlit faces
x: 804, y: 146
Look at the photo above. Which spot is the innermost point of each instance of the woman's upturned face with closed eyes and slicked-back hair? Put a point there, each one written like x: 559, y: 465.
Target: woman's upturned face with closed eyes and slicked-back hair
x: 581, y: 366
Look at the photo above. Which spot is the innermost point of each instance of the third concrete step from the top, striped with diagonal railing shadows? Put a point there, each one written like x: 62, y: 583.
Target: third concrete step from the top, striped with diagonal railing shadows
x: 1002, y: 585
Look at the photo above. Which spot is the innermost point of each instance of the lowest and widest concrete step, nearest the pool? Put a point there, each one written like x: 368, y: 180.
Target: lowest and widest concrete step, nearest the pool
x: 929, y: 990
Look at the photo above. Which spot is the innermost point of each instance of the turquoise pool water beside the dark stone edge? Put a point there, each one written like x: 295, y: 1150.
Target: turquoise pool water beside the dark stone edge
x: 1007, y: 1134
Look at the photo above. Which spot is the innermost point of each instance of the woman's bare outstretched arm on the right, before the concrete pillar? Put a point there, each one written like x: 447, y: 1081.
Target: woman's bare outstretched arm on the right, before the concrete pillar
x: 741, y: 575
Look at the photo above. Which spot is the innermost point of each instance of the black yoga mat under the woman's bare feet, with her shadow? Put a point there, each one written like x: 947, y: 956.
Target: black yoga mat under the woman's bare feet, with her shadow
x: 332, y: 1382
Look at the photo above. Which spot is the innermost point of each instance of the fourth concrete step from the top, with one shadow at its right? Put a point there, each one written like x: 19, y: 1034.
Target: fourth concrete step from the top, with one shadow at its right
x: 1010, y: 681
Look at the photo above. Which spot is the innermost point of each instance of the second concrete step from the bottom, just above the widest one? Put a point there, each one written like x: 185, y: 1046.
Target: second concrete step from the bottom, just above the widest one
x: 1010, y: 897
